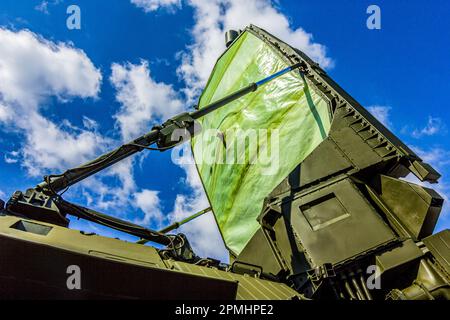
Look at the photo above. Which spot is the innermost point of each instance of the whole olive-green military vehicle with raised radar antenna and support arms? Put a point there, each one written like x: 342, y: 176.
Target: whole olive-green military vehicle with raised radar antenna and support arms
x: 311, y: 205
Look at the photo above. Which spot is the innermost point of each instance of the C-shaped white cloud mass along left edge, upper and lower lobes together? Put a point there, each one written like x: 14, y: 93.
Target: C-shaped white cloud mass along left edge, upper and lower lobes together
x: 33, y: 70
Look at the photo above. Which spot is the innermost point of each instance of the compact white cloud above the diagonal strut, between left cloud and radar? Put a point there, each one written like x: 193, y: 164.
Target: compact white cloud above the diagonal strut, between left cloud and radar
x: 143, y: 99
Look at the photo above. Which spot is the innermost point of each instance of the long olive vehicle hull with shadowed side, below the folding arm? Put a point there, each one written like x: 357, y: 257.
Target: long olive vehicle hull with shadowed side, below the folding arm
x: 36, y: 256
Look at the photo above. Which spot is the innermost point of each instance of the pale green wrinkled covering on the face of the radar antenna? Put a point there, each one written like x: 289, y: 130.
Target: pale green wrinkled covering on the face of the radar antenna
x: 249, y: 146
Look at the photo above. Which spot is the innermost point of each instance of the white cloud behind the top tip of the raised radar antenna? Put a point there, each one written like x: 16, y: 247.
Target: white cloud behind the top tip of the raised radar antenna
x: 214, y: 17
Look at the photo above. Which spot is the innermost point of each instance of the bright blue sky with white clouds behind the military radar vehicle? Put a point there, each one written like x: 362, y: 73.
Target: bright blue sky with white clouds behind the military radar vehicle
x: 157, y: 54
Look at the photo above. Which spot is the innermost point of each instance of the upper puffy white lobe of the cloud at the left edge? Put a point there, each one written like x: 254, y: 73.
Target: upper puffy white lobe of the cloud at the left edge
x: 34, y: 69
